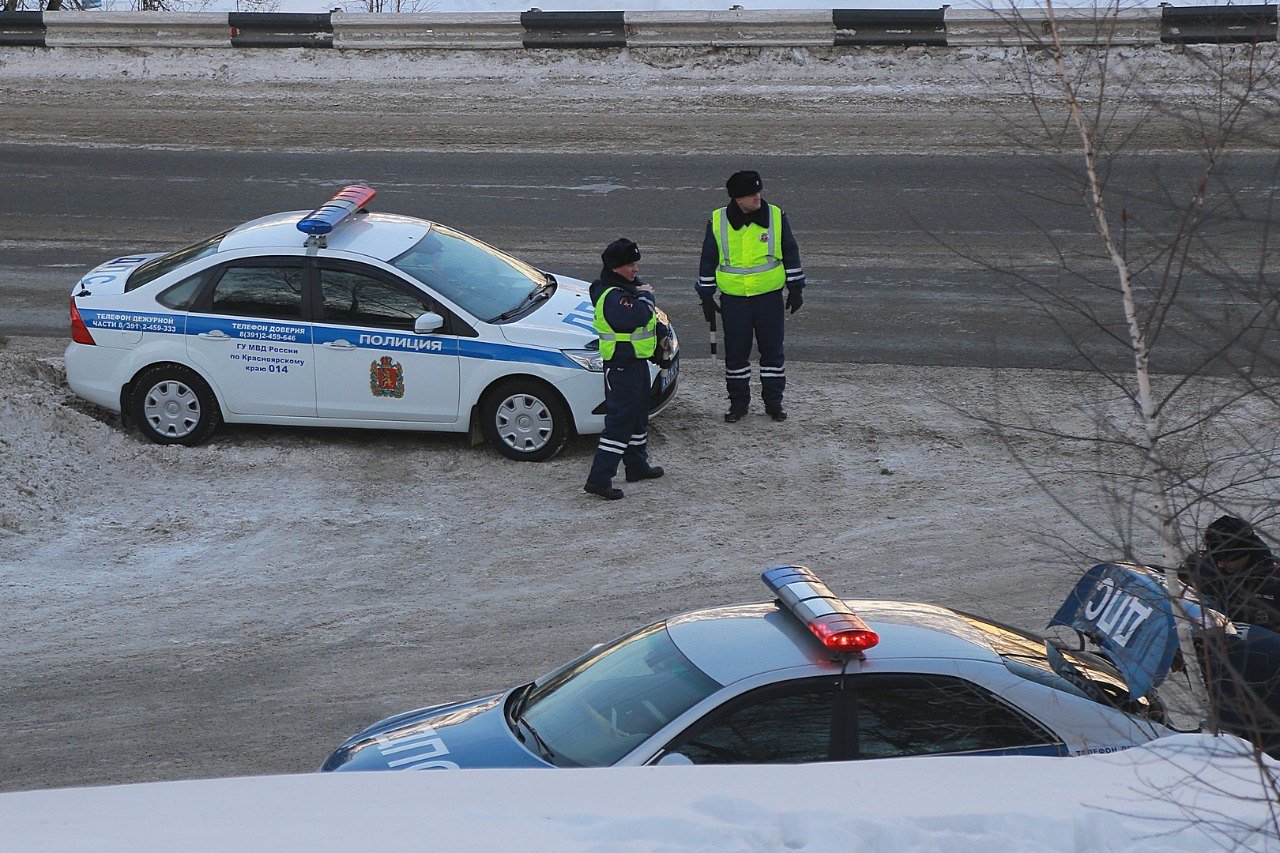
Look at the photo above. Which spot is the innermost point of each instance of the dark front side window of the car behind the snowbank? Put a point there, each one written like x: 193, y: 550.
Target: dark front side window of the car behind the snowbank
x: 774, y: 727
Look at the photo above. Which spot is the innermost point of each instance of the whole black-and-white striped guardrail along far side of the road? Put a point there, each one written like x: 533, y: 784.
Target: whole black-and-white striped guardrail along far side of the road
x: 534, y: 30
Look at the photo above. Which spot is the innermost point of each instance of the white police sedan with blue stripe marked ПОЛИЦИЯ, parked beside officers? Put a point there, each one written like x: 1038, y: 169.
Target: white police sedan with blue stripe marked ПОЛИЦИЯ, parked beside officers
x: 344, y: 318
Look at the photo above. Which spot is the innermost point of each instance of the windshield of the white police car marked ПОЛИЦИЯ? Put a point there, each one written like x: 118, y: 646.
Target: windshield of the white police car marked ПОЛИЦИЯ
x: 478, y: 279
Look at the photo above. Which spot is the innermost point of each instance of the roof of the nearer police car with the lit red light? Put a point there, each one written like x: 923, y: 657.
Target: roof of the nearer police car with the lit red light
x: 732, y: 644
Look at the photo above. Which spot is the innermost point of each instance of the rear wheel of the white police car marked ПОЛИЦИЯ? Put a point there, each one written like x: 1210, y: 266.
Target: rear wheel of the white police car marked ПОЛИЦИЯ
x: 172, y: 405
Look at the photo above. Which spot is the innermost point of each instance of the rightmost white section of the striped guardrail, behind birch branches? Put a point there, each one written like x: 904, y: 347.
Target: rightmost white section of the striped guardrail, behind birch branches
x: 1032, y: 28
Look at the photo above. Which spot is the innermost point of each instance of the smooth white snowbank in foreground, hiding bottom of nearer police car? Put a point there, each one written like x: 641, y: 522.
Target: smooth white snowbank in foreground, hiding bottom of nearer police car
x: 1182, y: 793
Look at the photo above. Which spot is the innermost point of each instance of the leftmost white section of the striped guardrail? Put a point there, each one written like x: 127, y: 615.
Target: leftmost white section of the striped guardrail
x: 136, y: 30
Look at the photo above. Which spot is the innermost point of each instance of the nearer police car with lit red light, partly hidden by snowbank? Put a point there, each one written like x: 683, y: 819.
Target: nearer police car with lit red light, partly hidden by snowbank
x: 802, y: 679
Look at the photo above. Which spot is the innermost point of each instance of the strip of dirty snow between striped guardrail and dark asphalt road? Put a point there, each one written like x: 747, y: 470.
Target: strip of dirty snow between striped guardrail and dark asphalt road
x: 811, y: 102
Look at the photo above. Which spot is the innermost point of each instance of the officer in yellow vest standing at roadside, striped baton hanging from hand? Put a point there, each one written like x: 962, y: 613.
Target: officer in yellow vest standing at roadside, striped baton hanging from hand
x: 749, y: 254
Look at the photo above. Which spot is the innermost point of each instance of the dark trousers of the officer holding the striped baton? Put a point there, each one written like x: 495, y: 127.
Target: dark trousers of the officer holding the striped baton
x: 760, y: 318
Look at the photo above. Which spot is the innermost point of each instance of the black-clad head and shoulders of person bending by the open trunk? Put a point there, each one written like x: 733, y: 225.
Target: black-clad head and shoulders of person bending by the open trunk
x: 1236, y: 573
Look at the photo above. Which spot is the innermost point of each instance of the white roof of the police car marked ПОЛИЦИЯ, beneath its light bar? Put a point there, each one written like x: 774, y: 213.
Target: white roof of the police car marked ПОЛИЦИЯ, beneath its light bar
x: 377, y: 235
